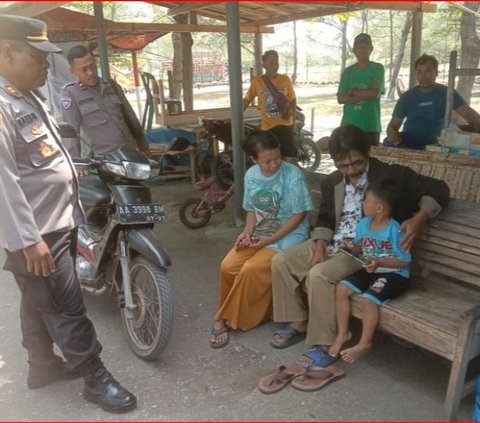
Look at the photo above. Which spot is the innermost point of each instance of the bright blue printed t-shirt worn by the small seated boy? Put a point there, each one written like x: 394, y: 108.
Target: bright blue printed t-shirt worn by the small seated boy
x: 382, y: 243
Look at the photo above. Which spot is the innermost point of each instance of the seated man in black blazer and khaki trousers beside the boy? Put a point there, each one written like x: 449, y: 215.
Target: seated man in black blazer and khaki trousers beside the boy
x: 316, y: 266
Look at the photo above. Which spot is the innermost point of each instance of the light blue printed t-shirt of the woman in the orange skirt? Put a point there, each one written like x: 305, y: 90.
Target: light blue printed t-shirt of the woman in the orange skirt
x: 274, y: 199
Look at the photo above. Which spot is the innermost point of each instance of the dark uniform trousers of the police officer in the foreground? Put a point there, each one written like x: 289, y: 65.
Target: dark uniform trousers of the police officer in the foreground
x: 52, y: 308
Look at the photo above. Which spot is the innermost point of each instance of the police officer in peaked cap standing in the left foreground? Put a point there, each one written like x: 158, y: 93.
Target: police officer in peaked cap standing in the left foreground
x: 38, y: 220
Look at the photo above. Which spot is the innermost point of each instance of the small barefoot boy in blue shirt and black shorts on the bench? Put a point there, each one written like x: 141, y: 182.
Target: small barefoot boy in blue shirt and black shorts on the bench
x: 385, y: 274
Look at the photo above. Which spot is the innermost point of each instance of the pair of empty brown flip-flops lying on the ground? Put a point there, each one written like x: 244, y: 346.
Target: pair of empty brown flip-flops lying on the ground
x: 304, y: 379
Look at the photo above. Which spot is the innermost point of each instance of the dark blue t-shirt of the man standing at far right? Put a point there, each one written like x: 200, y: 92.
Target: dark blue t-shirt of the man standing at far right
x: 425, y: 111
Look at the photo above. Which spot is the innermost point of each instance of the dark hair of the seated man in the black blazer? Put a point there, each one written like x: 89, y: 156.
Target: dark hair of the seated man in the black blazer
x: 345, y: 139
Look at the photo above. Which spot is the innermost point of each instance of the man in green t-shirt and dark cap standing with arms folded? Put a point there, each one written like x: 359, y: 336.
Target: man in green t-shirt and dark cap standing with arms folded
x: 360, y: 88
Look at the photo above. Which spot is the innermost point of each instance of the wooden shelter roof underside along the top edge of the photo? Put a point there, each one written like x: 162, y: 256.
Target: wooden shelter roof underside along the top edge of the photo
x: 67, y: 25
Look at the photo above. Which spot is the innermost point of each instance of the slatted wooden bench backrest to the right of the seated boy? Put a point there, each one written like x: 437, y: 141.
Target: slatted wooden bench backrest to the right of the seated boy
x: 449, y: 247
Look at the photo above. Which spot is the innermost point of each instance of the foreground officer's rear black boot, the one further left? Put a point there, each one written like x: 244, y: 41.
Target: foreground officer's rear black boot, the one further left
x: 44, y: 369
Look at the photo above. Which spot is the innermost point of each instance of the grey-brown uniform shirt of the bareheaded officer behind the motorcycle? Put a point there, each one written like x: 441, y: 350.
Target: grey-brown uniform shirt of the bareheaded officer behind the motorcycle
x: 98, y: 112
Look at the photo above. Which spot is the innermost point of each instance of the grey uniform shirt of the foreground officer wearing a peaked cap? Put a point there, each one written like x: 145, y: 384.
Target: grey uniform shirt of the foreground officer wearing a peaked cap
x: 38, y: 179
